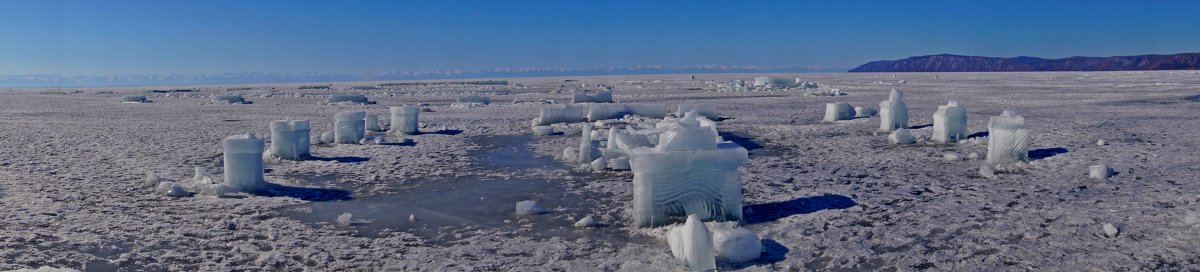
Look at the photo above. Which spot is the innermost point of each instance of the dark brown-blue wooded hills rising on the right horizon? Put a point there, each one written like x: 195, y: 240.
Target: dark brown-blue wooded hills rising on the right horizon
x: 1028, y: 64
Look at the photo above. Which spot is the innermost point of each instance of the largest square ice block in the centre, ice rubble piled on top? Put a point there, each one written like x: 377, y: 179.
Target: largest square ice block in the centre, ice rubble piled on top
x: 688, y: 172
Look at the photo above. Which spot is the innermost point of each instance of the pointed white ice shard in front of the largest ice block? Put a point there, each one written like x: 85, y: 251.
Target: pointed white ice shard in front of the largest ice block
x: 692, y: 245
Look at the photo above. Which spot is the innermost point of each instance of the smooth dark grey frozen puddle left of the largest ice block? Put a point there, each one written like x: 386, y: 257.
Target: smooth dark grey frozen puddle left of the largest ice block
x: 476, y: 204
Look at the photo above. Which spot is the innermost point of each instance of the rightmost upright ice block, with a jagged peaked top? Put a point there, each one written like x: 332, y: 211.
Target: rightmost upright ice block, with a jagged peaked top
x: 1009, y: 142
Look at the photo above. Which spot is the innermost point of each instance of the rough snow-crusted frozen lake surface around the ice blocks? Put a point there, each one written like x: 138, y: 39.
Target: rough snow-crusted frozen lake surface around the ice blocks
x: 823, y: 196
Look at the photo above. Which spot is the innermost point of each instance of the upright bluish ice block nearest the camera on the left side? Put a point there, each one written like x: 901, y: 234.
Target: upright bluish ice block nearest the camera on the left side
x: 244, y: 164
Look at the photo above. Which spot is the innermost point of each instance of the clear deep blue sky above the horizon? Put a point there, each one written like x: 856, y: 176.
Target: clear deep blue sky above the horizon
x: 93, y: 38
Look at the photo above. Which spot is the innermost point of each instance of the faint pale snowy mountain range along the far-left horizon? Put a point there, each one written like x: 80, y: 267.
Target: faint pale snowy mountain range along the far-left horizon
x: 52, y: 81
